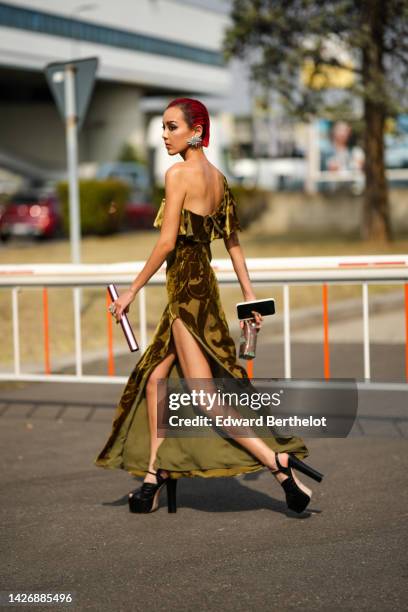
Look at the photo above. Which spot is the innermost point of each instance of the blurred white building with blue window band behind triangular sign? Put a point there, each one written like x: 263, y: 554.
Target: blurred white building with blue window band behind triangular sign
x: 149, y: 51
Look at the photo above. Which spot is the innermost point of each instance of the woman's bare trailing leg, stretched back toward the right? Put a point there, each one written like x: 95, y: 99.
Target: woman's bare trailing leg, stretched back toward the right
x: 194, y: 364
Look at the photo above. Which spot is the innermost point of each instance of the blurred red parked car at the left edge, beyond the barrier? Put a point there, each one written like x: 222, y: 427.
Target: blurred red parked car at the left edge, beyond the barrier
x: 30, y: 214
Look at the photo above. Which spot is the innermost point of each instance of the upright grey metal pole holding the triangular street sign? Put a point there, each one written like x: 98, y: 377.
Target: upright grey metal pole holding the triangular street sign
x: 72, y: 157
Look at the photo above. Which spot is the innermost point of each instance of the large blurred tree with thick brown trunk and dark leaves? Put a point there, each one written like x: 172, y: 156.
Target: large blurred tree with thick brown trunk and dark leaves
x: 279, y: 38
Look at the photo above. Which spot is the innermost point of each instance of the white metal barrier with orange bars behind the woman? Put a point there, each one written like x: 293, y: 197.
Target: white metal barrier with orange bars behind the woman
x: 362, y: 270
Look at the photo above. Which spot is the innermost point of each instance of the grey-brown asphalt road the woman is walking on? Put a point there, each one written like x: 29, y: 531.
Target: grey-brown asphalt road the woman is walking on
x: 232, y: 545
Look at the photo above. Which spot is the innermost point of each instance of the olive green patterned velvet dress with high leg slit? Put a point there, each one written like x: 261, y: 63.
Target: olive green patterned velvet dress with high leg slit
x: 193, y: 295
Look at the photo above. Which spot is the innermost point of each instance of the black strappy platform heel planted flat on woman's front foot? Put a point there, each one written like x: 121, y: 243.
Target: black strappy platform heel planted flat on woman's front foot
x: 145, y: 499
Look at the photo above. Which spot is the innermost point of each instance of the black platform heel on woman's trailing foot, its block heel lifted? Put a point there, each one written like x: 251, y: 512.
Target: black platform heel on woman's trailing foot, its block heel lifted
x: 297, y: 494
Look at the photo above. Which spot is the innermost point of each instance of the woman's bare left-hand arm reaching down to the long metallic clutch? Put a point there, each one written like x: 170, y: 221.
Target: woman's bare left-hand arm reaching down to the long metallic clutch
x: 174, y: 194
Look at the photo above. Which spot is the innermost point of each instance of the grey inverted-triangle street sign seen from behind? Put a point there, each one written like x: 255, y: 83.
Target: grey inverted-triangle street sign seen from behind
x: 84, y: 71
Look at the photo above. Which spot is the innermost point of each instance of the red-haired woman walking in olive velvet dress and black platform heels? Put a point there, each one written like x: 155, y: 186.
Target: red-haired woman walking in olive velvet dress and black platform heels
x: 192, y: 338
